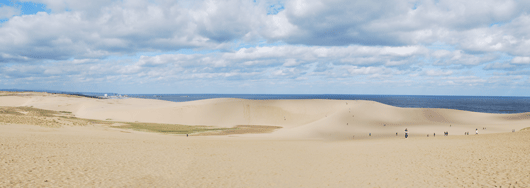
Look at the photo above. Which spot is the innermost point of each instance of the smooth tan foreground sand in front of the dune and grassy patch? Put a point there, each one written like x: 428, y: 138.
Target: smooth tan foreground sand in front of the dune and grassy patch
x: 100, y: 157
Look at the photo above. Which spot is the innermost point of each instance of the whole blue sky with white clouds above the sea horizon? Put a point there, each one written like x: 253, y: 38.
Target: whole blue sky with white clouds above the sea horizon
x: 407, y: 47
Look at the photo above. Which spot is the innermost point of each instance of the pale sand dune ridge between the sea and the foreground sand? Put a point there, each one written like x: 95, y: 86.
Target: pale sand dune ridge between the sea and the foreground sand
x: 321, y: 119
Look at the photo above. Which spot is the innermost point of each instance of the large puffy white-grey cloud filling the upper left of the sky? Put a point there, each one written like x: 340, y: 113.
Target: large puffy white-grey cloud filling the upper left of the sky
x: 126, y: 27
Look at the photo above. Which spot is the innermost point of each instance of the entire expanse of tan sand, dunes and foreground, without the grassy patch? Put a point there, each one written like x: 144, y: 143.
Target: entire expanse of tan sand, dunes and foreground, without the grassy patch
x: 314, y: 148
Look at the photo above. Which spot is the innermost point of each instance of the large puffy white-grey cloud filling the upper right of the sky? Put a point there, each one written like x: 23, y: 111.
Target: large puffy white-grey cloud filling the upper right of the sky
x: 386, y: 22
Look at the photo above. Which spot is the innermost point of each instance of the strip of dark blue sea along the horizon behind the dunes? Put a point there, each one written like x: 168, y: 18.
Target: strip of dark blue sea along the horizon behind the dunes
x: 487, y: 104
